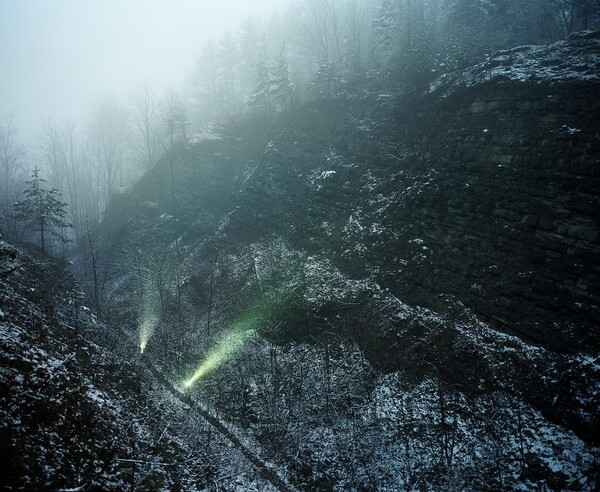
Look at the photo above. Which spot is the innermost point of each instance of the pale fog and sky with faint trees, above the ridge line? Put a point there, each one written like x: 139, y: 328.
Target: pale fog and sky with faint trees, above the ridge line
x: 95, y: 93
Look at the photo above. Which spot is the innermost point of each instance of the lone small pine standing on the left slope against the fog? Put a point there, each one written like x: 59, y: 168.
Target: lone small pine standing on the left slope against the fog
x: 43, y: 210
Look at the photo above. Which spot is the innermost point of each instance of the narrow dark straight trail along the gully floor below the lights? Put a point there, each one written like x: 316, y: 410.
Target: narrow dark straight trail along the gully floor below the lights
x: 266, y: 471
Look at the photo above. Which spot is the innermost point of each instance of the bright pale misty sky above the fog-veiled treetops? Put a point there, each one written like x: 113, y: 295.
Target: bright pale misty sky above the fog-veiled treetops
x: 57, y: 56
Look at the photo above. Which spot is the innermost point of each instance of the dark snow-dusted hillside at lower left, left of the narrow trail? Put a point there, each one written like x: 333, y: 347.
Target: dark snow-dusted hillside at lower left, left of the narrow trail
x: 78, y: 416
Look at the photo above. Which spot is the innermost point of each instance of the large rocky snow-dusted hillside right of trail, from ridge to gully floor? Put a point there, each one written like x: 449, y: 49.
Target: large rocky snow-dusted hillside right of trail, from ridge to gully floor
x: 447, y: 243
